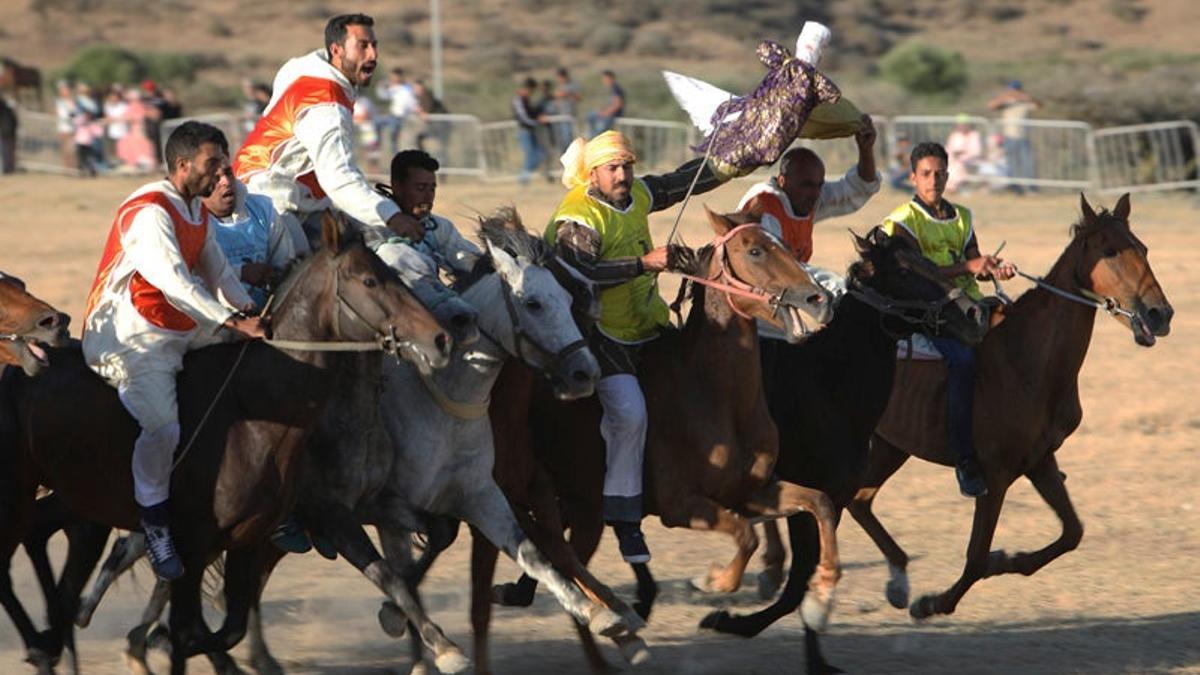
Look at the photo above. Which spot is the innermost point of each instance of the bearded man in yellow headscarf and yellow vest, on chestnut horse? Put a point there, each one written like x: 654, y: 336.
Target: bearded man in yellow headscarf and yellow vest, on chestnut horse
x: 602, y: 230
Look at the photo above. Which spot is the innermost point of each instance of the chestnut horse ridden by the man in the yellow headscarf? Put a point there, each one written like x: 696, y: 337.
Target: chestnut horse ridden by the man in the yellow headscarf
x: 713, y: 474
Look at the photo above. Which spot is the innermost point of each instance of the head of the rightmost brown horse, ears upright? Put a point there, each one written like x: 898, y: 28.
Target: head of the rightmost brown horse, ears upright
x: 1112, y: 262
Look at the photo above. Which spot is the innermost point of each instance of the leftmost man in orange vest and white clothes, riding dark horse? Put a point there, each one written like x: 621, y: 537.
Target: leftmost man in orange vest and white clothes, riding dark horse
x: 163, y: 288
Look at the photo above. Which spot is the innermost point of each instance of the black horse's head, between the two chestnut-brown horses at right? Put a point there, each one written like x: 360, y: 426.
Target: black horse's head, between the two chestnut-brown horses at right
x: 910, y: 288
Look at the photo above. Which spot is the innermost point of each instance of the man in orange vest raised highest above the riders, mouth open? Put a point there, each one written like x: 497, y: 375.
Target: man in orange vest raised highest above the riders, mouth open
x: 301, y: 153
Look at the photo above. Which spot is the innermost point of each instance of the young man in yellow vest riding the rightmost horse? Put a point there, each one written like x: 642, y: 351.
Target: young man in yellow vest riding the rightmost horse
x: 946, y: 236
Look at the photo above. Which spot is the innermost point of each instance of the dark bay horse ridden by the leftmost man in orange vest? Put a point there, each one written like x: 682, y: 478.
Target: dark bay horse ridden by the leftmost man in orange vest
x: 245, y: 413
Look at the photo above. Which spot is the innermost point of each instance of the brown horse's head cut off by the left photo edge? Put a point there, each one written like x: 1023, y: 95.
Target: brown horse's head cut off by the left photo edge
x: 27, y: 327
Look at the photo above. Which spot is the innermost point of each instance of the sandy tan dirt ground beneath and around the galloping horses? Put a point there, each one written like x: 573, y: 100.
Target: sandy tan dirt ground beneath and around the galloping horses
x: 1127, y: 601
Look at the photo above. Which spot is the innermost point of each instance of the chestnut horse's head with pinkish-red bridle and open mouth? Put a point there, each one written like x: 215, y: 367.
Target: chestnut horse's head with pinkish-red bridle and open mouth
x: 748, y: 258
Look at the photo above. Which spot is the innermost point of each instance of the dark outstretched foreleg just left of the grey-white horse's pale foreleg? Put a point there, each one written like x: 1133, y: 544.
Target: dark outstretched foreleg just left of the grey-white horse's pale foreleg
x: 341, y: 525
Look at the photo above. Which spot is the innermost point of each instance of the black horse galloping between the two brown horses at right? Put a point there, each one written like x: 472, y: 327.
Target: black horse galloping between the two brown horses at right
x: 827, y: 395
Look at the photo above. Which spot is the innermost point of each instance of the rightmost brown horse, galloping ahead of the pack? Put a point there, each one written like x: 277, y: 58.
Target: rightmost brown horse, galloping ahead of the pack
x: 1027, y: 399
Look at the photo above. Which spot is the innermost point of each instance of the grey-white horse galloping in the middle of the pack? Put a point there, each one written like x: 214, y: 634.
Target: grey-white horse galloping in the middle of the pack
x: 441, y: 439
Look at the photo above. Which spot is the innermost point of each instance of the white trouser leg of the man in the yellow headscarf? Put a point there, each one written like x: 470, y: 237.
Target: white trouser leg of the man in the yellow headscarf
x: 623, y: 428
